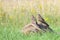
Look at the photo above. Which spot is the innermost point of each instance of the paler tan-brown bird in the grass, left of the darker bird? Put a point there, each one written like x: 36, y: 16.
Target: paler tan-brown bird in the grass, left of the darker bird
x: 31, y: 27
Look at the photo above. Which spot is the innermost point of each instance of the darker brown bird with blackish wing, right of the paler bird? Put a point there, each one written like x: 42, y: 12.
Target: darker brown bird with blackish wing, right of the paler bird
x: 42, y: 24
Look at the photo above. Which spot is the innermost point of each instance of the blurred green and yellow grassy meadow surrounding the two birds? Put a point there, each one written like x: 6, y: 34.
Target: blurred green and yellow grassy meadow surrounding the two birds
x: 14, y: 14
